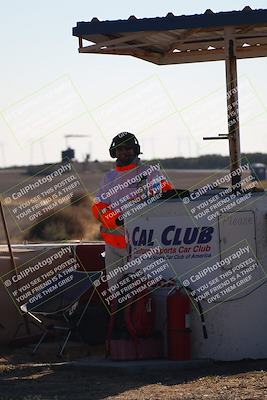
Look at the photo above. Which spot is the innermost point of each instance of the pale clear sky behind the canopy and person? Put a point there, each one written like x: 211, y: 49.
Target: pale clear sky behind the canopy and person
x: 39, y: 53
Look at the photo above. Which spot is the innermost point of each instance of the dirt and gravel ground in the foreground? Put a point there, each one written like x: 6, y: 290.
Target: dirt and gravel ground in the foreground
x: 33, y: 378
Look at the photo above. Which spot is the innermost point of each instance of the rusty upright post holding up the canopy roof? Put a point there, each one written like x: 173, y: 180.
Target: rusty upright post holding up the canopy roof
x: 232, y: 102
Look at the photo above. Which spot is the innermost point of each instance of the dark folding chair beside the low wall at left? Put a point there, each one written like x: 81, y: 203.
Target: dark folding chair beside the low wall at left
x: 59, y: 301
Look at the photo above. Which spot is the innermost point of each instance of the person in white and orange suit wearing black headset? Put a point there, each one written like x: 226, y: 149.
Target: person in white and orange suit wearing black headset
x: 121, y: 190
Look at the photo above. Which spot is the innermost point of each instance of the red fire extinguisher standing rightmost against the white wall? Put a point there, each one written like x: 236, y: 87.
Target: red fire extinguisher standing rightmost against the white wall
x: 178, y: 325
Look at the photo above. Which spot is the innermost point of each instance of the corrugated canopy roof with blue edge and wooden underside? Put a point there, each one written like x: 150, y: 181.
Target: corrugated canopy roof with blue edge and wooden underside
x: 177, y: 39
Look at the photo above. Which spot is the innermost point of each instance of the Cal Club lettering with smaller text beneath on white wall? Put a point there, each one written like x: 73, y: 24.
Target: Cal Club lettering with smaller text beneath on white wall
x: 175, y: 241
